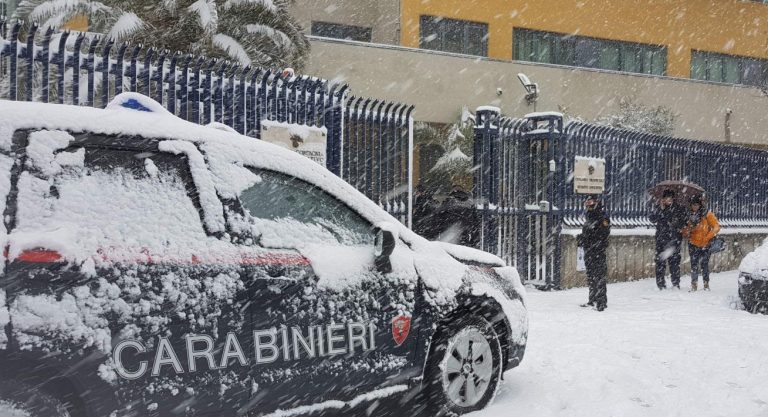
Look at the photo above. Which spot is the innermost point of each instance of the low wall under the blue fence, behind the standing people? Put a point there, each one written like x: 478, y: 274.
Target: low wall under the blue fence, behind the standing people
x: 632, y: 257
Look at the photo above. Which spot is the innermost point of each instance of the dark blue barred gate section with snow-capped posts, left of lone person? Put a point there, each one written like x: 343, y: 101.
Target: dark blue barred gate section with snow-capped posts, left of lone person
x: 517, y: 190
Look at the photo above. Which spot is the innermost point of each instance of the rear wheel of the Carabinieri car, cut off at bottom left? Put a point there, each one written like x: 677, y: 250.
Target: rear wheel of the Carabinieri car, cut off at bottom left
x: 21, y: 400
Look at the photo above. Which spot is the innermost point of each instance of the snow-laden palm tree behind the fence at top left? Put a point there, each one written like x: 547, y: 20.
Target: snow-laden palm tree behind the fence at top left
x: 251, y: 32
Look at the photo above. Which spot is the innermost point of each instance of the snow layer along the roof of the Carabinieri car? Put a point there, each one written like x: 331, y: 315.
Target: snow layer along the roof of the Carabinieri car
x: 158, y: 123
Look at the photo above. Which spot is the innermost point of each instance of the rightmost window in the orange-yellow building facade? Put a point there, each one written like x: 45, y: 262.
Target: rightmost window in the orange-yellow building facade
x: 731, y: 69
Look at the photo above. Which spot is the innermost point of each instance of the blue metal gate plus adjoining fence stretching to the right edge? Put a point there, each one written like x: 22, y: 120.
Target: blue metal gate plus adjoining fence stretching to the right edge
x: 524, y: 182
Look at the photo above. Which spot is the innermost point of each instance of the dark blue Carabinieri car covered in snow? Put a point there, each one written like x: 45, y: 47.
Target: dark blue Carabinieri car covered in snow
x: 157, y: 267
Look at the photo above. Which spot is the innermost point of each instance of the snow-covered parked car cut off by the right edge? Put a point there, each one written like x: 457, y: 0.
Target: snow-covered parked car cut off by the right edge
x: 753, y: 280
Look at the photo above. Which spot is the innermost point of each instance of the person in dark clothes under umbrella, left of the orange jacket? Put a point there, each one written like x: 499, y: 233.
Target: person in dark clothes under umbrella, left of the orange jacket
x: 669, y: 218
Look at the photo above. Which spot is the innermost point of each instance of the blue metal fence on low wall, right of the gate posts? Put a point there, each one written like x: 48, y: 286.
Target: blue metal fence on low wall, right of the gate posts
x: 735, y: 178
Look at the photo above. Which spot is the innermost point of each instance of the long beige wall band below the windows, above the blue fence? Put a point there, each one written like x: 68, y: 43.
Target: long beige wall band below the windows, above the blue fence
x: 440, y: 84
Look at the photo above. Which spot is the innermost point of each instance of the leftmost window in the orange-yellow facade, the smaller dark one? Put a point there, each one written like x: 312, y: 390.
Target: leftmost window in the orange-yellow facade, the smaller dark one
x: 450, y: 35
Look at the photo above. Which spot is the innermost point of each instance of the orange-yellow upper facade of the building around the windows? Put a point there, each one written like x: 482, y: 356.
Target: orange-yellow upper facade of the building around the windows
x: 730, y: 27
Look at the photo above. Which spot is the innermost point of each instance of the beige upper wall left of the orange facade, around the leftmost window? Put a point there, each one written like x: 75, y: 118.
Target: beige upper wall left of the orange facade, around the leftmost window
x: 382, y: 16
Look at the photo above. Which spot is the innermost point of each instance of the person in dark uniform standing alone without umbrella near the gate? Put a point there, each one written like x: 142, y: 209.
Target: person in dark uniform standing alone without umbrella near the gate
x: 594, y: 239
